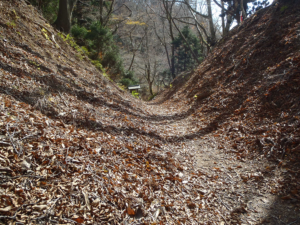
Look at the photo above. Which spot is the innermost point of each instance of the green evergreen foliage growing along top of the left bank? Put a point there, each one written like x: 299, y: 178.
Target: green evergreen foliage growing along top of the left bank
x: 95, y: 40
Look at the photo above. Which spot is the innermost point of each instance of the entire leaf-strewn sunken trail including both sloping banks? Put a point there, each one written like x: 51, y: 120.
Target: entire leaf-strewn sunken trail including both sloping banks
x: 220, y: 147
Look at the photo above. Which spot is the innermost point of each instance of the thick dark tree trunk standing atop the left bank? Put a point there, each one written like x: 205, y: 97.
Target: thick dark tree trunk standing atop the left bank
x: 64, y: 16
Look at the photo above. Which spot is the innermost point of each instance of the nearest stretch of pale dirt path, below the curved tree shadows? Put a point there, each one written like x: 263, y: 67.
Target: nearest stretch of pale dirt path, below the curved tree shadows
x: 248, y: 185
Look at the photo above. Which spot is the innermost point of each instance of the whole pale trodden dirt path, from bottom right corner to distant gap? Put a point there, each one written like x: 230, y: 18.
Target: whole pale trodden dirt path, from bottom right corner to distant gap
x: 243, y: 189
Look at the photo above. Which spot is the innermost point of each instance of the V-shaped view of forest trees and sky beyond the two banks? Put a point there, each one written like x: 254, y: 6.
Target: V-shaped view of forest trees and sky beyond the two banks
x: 146, y: 42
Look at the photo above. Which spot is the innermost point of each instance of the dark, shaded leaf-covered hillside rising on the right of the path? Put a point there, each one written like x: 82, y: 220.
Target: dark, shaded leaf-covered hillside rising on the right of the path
x: 247, y: 90
